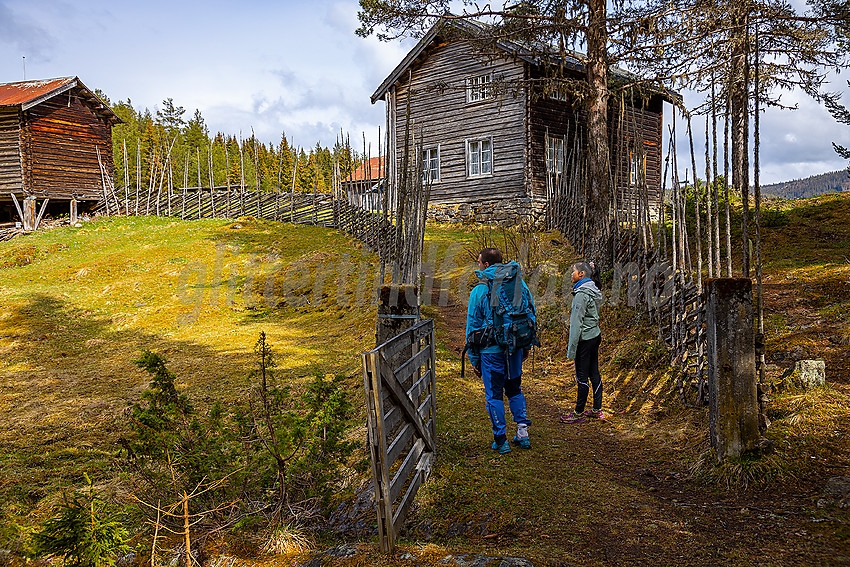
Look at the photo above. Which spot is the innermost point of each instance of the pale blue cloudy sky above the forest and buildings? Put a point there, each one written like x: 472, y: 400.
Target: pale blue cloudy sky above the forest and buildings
x: 287, y: 66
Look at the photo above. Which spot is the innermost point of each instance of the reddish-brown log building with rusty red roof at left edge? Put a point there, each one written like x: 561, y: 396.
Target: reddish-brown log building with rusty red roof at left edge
x: 50, y: 134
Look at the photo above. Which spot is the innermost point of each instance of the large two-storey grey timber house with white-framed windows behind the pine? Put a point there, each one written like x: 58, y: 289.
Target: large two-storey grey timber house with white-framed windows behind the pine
x: 497, y: 140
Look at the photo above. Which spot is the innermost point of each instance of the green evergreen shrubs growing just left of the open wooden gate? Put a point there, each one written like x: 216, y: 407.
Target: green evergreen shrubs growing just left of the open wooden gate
x: 274, y: 451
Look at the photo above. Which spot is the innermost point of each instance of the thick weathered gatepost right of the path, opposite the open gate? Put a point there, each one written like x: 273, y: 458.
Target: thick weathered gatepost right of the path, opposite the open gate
x: 732, y: 399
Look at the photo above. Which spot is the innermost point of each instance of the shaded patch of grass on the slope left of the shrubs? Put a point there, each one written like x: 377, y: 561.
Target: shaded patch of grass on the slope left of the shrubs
x: 67, y: 380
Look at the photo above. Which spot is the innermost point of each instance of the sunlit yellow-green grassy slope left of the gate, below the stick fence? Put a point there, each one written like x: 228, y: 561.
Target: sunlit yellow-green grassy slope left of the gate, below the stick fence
x: 80, y: 304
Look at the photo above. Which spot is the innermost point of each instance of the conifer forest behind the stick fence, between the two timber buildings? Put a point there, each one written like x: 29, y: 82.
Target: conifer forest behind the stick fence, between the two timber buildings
x: 165, y: 148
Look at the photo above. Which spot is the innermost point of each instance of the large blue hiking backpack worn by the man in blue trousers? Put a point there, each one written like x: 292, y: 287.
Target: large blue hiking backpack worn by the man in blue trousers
x: 512, y: 322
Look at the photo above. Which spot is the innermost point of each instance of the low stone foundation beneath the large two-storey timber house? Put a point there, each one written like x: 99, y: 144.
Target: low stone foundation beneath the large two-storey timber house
x: 508, y: 212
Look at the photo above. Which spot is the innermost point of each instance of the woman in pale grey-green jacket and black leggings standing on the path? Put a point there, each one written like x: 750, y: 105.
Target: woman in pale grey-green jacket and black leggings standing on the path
x: 585, y: 337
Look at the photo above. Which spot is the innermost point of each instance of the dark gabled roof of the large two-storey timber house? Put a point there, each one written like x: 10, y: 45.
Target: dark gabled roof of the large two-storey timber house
x: 535, y: 54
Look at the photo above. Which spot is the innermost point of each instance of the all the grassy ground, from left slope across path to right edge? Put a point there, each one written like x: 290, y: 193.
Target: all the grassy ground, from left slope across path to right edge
x: 80, y: 304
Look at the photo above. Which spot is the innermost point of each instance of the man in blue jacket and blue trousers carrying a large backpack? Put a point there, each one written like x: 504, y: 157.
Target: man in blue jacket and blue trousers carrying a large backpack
x: 501, y: 328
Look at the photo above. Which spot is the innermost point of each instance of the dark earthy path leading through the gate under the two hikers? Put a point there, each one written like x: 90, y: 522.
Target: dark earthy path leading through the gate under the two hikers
x: 603, y: 494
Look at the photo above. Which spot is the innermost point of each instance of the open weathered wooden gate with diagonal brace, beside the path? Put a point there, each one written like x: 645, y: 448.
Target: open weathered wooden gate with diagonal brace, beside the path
x: 401, y: 410
